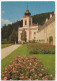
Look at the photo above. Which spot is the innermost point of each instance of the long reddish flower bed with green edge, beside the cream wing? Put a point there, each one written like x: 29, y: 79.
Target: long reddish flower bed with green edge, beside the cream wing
x: 41, y: 49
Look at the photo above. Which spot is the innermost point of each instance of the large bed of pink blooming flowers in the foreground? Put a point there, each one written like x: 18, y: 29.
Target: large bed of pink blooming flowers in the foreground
x: 26, y: 68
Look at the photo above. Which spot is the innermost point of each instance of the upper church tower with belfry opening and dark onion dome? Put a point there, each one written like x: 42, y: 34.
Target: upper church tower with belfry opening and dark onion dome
x: 27, y: 19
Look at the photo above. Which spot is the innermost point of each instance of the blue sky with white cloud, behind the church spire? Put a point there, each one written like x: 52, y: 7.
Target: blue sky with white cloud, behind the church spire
x: 13, y: 11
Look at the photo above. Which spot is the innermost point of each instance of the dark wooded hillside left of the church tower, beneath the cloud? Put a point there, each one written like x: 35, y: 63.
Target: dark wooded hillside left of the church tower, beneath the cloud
x: 6, y: 30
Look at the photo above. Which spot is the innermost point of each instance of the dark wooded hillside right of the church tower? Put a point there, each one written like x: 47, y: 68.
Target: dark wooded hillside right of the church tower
x: 40, y: 18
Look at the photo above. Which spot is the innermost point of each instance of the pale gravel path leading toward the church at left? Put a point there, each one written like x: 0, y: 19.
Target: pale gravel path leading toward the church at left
x: 6, y: 51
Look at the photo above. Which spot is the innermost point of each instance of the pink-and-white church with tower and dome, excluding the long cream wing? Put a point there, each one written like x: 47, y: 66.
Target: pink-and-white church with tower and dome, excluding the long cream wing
x: 31, y: 31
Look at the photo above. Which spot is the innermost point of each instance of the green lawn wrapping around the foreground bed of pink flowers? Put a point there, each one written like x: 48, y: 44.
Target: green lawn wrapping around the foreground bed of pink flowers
x: 47, y: 59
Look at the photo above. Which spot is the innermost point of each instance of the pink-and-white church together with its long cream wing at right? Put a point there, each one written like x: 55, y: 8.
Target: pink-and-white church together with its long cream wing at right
x: 36, y: 32
